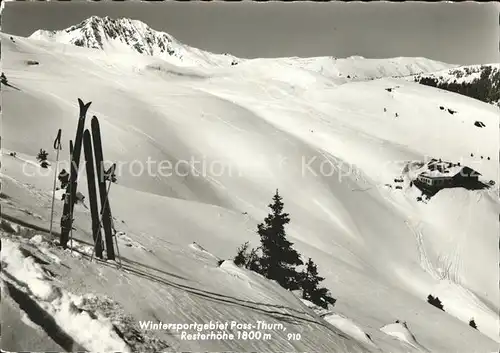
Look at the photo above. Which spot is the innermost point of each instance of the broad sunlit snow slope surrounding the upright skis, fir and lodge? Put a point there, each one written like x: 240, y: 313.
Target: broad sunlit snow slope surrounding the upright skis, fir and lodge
x: 333, y: 151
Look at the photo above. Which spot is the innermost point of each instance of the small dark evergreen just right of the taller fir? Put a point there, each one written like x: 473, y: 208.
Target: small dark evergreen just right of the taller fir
x: 309, y: 283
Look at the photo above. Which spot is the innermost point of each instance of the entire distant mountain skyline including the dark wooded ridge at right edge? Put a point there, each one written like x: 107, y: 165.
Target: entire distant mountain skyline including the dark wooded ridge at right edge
x: 104, y: 33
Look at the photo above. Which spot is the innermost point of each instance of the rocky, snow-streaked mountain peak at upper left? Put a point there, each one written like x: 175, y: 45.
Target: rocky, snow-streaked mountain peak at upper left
x: 124, y: 34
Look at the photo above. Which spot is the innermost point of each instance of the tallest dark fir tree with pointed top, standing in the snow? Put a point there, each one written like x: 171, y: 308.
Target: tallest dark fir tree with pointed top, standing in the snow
x: 278, y: 257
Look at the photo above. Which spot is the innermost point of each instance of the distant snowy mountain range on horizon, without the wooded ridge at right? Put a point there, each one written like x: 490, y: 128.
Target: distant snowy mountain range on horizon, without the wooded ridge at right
x: 127, y: 35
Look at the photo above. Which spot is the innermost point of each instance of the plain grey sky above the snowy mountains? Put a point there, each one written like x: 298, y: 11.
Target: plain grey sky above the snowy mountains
x: 458, y: 33
